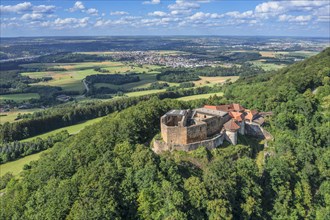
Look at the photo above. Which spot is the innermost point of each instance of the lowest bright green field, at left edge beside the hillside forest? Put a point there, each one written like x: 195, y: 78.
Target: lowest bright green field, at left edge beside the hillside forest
x: 15, y: 167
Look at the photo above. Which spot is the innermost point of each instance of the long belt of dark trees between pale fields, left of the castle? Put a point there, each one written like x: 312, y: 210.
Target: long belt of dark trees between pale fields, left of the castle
x: 69, y: 114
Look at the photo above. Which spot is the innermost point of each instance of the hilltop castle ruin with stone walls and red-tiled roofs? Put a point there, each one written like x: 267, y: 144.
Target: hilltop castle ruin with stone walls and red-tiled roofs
x: 208, y: 126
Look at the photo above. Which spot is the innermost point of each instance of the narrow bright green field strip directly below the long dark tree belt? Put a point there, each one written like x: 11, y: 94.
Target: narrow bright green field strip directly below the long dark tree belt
x: 73, y: 129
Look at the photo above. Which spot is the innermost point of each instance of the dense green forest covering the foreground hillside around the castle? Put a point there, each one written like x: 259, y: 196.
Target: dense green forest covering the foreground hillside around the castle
x: 108, y: 170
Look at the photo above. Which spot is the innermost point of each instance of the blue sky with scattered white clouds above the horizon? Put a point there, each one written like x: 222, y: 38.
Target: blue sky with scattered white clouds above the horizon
x: 165, y: 17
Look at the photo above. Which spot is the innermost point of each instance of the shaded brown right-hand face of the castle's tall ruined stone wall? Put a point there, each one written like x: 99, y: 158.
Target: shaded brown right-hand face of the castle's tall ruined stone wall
x: 195, y: 133
